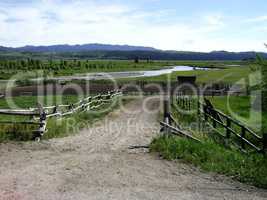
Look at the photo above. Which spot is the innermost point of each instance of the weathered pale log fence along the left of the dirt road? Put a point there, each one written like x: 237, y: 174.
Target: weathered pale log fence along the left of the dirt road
x: 41, y: 114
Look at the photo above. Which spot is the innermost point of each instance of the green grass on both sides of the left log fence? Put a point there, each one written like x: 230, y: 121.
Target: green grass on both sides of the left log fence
x: 56, y: 127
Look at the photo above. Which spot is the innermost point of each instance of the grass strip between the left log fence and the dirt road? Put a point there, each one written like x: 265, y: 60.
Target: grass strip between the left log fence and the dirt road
x: 59, y: 127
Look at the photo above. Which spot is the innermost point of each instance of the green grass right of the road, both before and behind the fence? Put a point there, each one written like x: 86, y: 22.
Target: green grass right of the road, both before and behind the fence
x: 213, y: 154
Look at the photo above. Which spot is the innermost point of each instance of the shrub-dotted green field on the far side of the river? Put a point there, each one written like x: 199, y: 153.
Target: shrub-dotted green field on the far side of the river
x: 70, y: 67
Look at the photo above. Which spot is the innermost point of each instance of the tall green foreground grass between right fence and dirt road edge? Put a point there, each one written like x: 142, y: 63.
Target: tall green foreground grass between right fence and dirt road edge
x: 210, y: 156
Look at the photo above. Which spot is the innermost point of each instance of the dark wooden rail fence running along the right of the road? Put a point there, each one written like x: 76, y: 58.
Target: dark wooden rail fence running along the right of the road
x: 228, y: 128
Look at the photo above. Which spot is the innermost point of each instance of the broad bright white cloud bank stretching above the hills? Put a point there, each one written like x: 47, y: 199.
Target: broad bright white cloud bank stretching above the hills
x: 79, y: 22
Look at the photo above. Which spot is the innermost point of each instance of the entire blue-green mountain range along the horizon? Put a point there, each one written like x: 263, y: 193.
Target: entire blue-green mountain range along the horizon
x: 105, y: 51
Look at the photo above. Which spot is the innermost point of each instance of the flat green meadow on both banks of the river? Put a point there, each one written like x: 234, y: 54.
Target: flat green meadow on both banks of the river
x: 226, y: 74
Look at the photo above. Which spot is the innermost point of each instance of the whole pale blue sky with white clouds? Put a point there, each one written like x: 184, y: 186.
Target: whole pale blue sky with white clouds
x: 183, y: 25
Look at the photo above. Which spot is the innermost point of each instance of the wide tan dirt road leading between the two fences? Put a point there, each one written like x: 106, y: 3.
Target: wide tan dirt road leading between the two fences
x: 97, y: 164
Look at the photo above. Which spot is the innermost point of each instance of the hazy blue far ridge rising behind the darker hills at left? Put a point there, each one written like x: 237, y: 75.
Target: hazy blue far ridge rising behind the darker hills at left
x: 78, y: 48
